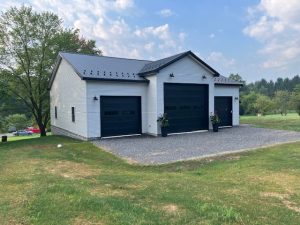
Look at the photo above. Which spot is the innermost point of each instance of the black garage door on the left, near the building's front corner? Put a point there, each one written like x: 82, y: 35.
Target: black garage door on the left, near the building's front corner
x: 120, y: 115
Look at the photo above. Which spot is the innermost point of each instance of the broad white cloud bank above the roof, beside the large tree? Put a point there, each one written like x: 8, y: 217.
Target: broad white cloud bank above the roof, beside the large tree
x: 105, y: 21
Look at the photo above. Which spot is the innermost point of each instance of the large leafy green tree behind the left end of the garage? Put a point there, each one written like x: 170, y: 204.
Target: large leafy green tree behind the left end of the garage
x: 29, y: 44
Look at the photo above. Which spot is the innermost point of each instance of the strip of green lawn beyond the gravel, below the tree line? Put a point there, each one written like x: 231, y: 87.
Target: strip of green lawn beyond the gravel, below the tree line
x: 289, y: 122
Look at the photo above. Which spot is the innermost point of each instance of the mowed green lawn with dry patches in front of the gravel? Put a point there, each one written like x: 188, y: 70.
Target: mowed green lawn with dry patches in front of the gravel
x: 81, y: 184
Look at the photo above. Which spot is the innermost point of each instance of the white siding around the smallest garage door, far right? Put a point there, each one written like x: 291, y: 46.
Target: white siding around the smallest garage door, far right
x: 234, y: 92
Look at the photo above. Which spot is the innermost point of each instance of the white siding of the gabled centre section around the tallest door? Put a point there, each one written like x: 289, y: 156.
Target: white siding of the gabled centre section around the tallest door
x: 186, y: 70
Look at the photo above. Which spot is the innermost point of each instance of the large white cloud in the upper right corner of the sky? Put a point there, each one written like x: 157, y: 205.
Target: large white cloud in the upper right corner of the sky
x: 276, y: 24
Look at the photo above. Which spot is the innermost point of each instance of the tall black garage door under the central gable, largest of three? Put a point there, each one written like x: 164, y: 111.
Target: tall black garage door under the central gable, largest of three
x: 186, y: 106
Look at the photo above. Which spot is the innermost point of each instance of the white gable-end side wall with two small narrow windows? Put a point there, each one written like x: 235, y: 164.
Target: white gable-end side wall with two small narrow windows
x: 68, y: 90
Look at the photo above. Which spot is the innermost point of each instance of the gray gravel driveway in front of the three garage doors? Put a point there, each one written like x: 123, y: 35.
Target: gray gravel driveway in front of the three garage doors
x: 157, y: 150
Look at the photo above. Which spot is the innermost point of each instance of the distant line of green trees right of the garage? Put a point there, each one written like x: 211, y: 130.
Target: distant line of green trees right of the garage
x: 263, y: 97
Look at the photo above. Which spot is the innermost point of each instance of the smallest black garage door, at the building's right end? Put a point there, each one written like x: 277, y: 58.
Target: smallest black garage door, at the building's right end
x: 223, y: 107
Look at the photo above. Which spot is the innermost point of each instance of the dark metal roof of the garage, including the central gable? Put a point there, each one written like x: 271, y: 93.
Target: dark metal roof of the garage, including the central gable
x: 94, y: 67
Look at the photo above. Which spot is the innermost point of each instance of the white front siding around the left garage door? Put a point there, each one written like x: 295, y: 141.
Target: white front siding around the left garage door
x: 108, y: 88
